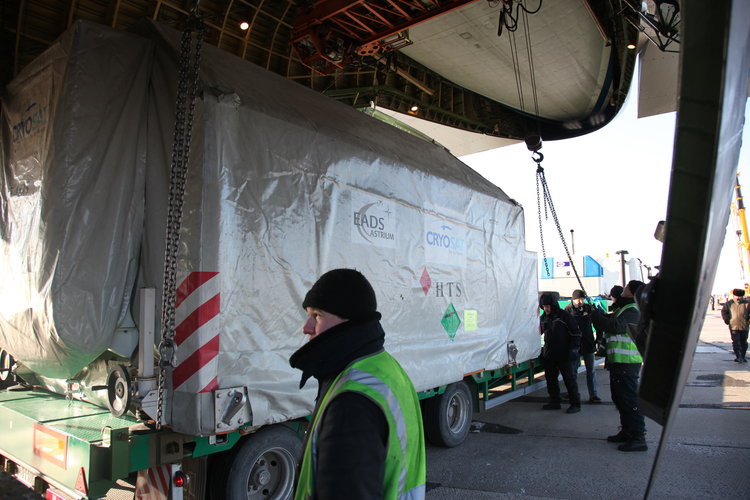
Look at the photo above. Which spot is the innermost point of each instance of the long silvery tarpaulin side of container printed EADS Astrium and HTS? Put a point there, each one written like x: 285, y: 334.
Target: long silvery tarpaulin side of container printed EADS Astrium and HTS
x: 286, y: 184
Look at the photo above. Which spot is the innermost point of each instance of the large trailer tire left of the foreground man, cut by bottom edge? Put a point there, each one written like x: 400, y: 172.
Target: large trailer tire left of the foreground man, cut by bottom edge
x: 263, y: 465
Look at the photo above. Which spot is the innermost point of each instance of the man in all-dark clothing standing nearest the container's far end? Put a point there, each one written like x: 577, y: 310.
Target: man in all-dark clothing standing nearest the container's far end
x: 562, y: 339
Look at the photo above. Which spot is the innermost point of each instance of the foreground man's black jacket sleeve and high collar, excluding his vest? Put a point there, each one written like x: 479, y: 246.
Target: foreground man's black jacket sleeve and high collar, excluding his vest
x: 353, y: 436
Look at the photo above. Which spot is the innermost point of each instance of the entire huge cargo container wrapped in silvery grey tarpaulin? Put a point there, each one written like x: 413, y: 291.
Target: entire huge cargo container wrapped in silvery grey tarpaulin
x: 283, y: 185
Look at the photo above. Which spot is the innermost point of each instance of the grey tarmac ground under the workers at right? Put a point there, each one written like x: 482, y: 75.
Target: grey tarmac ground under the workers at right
x: 516, y: 450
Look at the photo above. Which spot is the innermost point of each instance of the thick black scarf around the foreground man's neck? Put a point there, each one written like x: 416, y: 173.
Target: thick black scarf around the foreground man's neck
x: 325, y: 356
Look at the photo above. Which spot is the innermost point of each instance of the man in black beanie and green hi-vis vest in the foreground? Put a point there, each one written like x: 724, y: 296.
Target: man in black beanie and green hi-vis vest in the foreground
x: 365, y: 438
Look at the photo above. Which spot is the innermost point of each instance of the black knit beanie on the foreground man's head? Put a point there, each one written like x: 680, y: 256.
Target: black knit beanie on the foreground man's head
x: 343, y: 292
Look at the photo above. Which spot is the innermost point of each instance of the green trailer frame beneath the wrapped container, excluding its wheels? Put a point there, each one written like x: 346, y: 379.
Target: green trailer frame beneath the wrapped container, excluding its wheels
x: 81, y: 450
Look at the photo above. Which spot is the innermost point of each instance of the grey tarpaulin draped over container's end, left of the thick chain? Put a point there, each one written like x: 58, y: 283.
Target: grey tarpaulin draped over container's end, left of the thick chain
x: 73, y: 167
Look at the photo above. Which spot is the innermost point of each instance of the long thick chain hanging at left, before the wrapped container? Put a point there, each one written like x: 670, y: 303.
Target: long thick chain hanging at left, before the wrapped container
x: 187, y: 92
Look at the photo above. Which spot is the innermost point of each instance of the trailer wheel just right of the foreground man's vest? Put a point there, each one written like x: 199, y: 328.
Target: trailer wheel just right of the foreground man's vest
x: 447, y: 418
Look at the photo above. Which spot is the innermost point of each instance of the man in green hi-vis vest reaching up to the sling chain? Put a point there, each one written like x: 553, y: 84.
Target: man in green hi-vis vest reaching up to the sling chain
x: 624, y: 365
